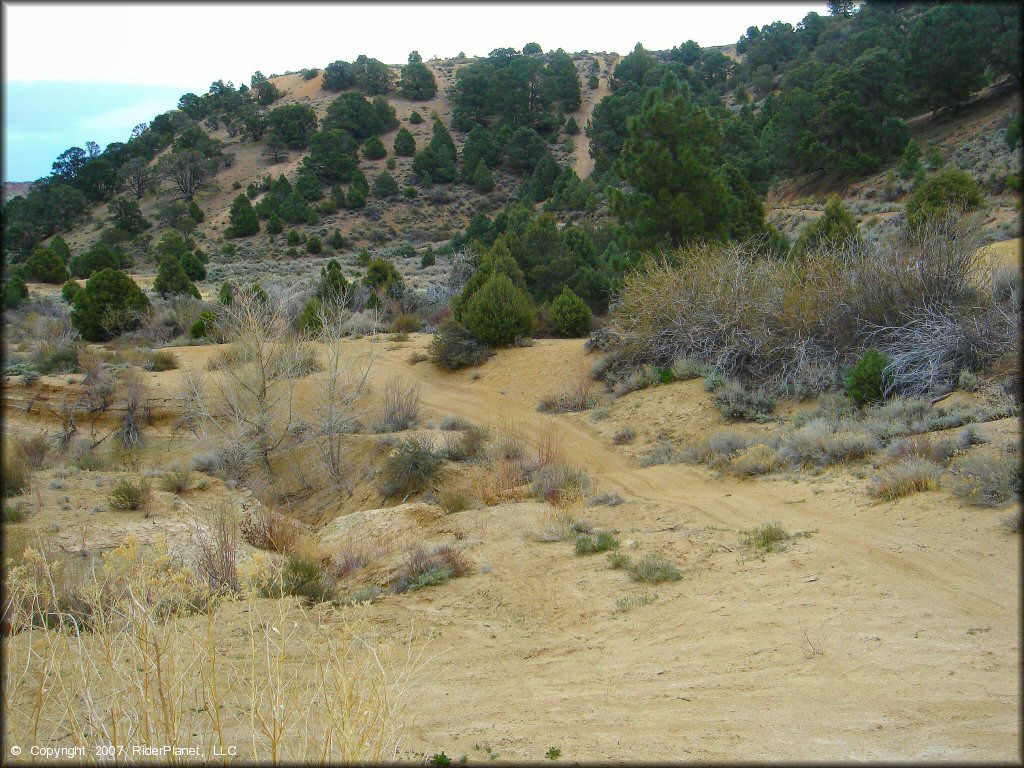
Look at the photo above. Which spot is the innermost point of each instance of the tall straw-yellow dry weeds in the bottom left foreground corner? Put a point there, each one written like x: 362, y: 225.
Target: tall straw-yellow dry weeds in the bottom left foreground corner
x: 283, y: 687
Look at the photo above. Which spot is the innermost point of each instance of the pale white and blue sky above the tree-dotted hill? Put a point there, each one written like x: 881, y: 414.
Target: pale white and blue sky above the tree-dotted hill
x: 187, y: 47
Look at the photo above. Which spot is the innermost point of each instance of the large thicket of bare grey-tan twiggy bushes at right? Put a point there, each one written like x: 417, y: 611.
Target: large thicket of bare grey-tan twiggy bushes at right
x: 924, y: 297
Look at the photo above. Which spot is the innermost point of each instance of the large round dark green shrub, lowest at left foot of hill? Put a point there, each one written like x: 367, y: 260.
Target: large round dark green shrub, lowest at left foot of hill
x: 110, y: 304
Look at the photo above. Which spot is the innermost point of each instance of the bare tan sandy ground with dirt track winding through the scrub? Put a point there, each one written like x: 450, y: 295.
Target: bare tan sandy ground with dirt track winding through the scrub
x: 891, y: 632
